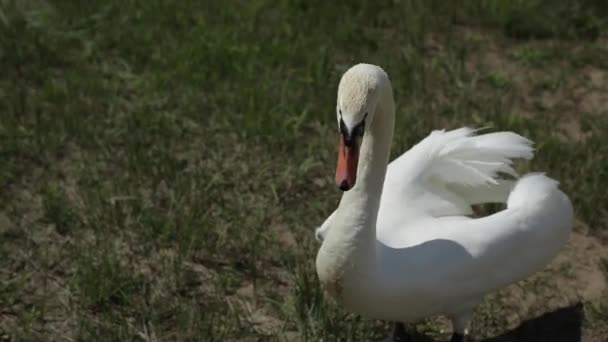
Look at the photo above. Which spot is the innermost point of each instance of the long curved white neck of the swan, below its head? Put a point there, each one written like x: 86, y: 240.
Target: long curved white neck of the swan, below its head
x: 348, y: 254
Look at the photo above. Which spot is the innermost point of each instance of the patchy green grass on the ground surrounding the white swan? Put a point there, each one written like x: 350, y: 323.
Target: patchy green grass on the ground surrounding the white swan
x: 164, y: 163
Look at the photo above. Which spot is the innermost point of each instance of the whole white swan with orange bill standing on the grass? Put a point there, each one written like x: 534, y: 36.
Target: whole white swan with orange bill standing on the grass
x: 401, y: 245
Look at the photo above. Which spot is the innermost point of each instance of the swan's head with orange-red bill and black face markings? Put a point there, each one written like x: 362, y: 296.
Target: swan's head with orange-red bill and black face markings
x: 358, y: 97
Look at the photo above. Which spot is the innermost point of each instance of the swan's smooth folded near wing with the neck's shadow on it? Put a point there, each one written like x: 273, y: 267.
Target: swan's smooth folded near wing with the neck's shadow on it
x: 484, y: 253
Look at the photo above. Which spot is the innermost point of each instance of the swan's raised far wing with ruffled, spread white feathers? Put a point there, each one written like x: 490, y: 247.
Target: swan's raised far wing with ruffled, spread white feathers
x: 448, y: 171
